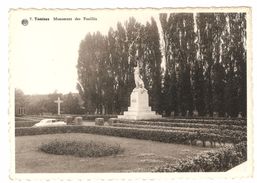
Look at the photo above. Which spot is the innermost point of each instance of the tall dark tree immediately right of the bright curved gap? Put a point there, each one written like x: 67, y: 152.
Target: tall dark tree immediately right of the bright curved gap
x: 179, y: 49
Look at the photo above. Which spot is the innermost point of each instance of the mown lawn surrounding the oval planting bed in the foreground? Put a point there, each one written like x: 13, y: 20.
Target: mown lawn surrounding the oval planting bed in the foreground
x: 139, y: 155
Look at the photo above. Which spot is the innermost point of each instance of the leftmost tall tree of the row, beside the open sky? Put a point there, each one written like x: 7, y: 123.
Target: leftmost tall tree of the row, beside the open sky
x: 91, y: 71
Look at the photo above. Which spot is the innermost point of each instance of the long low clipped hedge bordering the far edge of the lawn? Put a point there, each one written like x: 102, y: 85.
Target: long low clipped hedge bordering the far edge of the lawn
x: 181, y: 137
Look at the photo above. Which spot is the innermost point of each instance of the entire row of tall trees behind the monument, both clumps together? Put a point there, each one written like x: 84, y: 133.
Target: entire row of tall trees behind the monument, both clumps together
x: 201, y: 65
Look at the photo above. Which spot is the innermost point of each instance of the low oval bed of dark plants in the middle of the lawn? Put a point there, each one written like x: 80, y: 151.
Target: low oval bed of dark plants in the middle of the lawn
x: 81, y: 149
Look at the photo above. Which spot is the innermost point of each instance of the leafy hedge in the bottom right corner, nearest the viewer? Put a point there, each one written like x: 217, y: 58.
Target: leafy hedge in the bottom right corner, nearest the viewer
x: 220, y: 160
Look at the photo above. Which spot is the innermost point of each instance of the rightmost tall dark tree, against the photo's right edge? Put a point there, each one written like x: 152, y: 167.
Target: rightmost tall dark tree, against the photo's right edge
x: 234, y: 59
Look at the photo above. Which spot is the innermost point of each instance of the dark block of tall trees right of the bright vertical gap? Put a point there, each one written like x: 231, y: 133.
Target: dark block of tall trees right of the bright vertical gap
x: 205, y: 58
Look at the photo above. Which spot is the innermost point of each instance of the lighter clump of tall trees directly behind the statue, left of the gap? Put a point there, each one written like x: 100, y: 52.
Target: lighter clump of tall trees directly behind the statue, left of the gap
x: 106, y: 66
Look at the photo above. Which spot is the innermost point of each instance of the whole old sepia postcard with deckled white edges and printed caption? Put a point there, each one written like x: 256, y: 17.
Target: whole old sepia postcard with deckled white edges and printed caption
x: 157, y: 91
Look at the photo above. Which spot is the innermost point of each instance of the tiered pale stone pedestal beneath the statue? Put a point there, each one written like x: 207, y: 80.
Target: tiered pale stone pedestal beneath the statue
x: 139, y: 106
